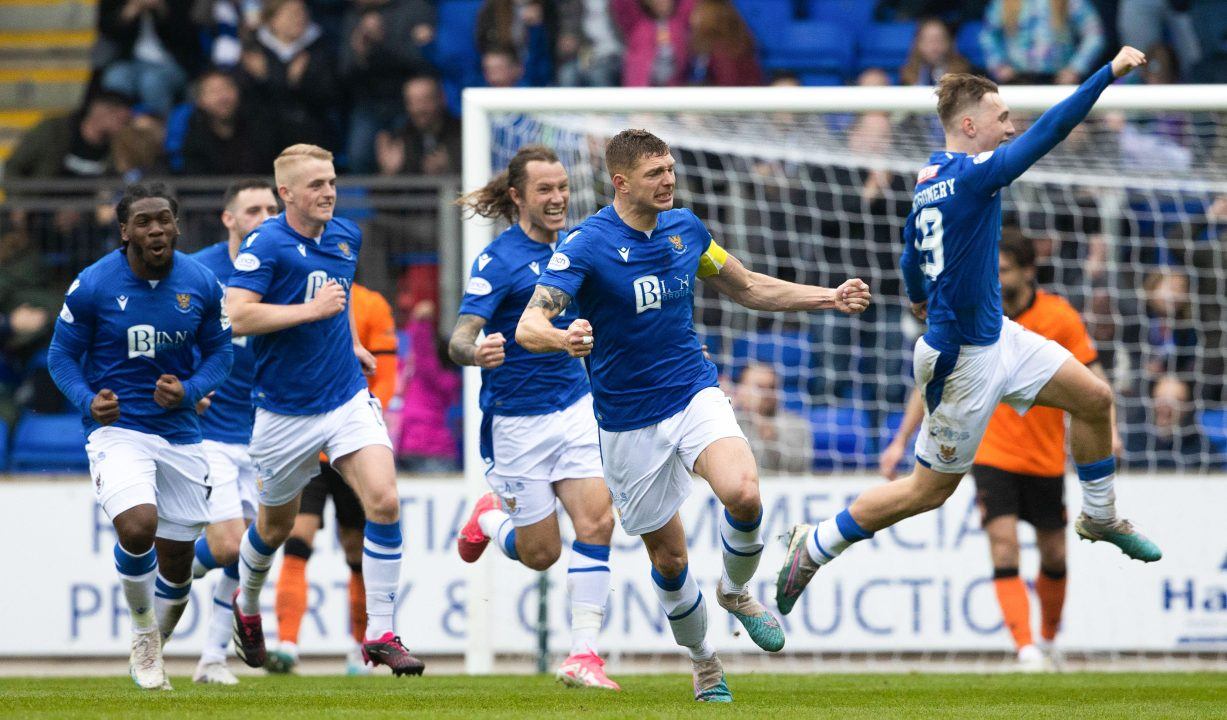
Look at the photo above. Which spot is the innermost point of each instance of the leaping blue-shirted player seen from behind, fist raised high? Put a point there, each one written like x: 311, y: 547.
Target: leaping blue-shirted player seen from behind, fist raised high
x: 971, y: 359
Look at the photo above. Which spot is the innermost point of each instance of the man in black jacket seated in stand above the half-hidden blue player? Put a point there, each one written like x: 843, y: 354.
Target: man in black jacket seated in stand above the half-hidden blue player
x: 221, y: 139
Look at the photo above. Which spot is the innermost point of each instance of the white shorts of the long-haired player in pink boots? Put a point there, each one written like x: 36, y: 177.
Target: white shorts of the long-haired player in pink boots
x: 531, y: 453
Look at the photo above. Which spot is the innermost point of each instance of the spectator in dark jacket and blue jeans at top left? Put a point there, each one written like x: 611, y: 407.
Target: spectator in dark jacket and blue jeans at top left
x: 153, y: 47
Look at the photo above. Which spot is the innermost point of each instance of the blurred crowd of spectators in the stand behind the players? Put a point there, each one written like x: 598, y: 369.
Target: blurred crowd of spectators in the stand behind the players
x: 218, y: 88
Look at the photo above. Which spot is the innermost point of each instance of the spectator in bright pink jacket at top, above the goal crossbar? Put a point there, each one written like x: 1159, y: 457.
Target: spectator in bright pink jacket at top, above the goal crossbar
x: 657, y: 35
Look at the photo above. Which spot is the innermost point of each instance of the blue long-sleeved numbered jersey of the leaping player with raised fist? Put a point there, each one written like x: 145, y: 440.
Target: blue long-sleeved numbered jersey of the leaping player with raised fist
x: 952, y: 236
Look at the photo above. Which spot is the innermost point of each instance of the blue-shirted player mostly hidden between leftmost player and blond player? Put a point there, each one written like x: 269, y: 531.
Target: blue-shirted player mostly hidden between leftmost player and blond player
x: 226, y: 427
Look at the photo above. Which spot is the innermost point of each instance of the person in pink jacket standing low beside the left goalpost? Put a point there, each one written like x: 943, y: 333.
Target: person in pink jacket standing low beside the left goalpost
x: 433, y: 387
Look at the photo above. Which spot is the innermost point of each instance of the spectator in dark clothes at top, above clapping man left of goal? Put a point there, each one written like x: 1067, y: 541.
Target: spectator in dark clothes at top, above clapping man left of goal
x: 383, y: 46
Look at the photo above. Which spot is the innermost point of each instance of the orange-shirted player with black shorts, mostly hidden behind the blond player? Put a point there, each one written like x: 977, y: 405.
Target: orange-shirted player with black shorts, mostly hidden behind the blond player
x: 377, y: 333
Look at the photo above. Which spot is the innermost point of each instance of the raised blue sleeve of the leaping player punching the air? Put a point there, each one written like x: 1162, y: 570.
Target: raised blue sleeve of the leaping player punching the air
x: 997, y: 169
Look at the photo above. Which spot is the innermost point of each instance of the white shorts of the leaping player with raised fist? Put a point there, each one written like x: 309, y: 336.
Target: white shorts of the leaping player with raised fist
x: 964, y: 389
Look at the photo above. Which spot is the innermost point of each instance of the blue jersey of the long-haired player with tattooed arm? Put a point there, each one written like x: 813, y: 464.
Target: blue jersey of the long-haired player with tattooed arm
x: 500, y: 288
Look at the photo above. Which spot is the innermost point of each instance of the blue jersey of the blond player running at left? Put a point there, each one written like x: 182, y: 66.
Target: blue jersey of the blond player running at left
x: 310, y: 369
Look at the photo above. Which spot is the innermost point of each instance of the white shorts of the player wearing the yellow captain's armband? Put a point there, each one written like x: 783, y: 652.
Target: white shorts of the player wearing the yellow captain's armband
x: 648, y: 470
